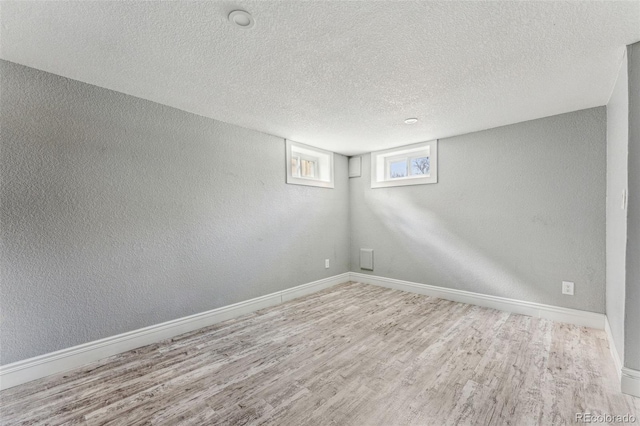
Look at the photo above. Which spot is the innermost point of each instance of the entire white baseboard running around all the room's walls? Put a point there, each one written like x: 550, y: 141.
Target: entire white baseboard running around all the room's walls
x: 66, y: 359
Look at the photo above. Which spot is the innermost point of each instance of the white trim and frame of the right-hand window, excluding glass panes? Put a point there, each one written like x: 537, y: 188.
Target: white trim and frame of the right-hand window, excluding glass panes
x: 383, y: 159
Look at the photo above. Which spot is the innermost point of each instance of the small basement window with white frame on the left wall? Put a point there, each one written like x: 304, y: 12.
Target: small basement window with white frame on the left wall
x: 307, y: 165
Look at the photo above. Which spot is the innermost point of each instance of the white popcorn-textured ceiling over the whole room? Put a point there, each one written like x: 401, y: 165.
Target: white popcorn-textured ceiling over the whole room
x: 339, y: 75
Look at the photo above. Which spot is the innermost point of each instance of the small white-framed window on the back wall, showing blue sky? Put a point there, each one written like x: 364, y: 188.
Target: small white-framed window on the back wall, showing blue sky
x: 415, y: 164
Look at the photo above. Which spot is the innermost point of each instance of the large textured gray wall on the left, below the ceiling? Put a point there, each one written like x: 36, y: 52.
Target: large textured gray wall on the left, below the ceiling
x: 119, y: 213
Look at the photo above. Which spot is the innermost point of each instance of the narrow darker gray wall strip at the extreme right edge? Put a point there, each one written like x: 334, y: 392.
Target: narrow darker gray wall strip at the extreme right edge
x: 632, y: 304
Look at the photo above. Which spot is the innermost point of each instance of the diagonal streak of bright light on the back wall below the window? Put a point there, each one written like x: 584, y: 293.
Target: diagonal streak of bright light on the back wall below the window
x: 430, y: 244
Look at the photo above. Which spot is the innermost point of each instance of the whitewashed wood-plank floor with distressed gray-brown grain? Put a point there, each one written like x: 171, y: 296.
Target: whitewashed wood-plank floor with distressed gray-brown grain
x: 353, y: 354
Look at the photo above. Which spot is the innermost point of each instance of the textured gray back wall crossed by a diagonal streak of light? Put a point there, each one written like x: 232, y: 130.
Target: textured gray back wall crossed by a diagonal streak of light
x: 516, y: 210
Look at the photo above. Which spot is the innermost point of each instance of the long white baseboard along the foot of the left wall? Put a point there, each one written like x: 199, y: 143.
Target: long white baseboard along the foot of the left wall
x: 67, y: 359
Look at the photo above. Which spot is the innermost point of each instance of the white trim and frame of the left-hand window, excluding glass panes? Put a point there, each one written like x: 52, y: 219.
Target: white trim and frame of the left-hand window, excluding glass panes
x: 305, y: 180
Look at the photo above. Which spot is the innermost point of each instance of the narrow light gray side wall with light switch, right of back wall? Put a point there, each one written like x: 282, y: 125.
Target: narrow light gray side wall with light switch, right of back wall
x: 617, y: 149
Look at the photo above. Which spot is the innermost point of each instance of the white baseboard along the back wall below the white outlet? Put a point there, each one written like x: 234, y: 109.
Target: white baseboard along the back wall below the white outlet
x: 555, y: 313
